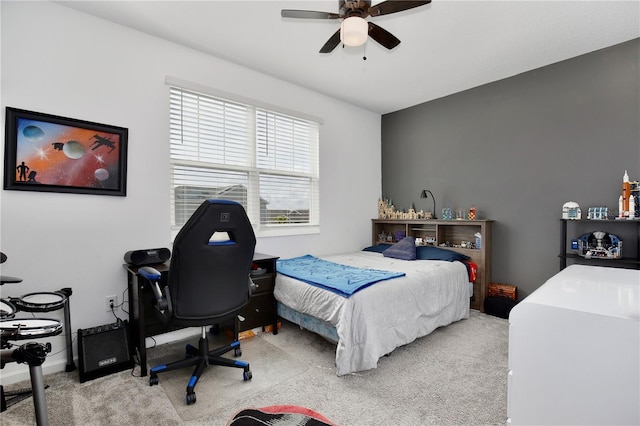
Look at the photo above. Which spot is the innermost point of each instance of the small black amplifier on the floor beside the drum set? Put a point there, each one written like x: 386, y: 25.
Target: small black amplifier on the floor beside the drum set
x: 103, y: 350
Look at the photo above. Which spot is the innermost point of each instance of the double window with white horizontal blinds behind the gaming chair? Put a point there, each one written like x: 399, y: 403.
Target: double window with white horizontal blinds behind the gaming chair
x: 264, y: 159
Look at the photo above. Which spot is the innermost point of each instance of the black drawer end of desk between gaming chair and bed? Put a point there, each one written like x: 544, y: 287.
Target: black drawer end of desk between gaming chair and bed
x: 261, y: 310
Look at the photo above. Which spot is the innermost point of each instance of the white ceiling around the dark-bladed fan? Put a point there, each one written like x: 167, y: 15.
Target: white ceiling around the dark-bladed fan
x: 447, y: 46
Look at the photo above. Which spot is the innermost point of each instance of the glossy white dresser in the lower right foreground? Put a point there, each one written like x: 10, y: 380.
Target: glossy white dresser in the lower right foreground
x: 574, y: 350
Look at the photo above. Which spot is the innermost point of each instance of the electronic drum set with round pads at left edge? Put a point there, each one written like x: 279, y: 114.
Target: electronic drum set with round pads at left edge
x: 32, y: 353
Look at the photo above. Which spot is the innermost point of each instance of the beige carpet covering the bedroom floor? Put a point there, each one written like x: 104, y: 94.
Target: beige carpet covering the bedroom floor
x: 455, y: 376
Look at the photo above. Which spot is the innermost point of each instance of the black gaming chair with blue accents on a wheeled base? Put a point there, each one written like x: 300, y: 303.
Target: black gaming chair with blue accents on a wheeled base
x: 208, y: 283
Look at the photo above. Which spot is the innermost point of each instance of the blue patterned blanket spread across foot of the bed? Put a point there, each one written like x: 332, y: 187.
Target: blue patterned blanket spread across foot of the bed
x: 341, y: 279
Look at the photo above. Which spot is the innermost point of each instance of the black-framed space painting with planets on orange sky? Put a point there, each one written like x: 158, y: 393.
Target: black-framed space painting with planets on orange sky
x: 49, y: 153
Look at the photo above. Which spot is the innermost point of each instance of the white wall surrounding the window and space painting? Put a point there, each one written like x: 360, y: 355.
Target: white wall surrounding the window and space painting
x: 59, y: 61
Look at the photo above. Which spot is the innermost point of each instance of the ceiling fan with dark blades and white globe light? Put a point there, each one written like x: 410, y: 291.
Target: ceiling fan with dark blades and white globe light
x: 354, y: 29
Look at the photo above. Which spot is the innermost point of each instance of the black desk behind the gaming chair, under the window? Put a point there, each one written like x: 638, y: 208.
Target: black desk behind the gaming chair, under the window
x: 144, y: 322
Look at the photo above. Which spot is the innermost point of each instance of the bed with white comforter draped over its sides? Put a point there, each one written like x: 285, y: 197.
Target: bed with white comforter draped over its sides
x: 374, y: 321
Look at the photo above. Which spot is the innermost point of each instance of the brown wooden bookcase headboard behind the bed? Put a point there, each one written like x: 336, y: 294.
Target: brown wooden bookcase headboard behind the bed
x: 452, y: 232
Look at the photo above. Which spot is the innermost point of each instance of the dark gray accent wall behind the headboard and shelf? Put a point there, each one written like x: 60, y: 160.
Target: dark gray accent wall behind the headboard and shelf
x: 518, y: 149
